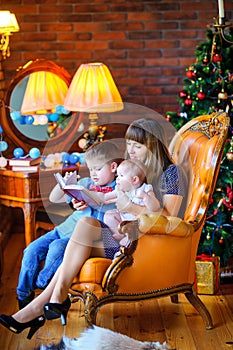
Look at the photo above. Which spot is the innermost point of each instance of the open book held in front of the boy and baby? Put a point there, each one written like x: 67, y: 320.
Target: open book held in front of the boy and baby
x: 80, y: 193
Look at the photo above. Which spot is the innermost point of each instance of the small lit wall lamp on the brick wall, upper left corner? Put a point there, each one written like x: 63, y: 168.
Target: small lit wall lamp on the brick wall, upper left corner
x: 8, y: 25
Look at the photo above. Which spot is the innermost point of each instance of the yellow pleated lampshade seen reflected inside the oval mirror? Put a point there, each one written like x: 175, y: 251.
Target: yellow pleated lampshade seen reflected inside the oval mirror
x: 44, y: 91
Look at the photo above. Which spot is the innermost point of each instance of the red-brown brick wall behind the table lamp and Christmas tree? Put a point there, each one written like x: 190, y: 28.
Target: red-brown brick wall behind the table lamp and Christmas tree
x: 147, y: 44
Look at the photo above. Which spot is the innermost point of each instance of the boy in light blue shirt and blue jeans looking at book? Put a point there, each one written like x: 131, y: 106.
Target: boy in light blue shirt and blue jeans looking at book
x: 49, y: 248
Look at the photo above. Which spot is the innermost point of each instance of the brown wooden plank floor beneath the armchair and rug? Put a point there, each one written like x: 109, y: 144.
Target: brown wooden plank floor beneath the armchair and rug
x: 178, y: 324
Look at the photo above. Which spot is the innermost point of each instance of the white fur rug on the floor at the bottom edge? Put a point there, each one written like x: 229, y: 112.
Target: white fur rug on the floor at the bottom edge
x: 97, y: 338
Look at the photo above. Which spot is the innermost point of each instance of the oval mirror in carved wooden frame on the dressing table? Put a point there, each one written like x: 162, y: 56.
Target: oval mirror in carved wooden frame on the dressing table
x: 34, y: 111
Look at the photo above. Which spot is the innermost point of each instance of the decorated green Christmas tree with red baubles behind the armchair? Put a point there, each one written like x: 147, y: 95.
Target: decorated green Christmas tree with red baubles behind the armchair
x: 208, y: 87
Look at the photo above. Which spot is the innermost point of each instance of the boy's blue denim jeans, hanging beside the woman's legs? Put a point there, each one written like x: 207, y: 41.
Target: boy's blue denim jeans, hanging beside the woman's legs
x: 48, y: 249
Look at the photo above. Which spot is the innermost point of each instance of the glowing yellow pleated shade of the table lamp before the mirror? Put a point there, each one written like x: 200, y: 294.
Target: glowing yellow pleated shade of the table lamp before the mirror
x: 93, y: 90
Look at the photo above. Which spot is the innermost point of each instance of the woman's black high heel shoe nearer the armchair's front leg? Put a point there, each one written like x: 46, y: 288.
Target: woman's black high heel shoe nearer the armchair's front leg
x: 56, y: 310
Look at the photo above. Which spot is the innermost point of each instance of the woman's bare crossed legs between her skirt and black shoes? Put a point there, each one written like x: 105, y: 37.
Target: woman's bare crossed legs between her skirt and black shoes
x: 84, y: 242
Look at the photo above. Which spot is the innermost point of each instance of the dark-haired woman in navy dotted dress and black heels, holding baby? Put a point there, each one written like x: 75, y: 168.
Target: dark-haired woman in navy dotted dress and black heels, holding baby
x: 92, y: 238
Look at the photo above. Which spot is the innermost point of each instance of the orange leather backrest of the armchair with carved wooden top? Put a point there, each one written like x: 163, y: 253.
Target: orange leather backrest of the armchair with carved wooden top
x: 198, y: 148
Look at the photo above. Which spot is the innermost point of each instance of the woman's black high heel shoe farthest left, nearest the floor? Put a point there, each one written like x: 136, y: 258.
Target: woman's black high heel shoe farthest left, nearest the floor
x: 17, y: 327
